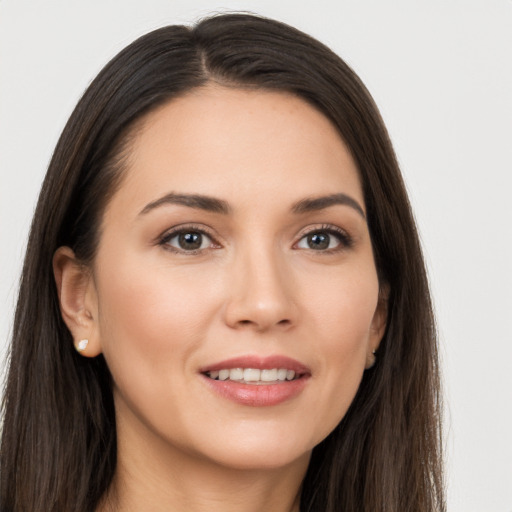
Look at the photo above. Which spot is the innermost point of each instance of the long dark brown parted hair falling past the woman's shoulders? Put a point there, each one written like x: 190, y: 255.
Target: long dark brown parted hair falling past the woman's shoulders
x: 58, y: 449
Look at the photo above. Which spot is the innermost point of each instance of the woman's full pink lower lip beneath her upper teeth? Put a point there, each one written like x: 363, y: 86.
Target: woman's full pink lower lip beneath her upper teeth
x: 257, y: 395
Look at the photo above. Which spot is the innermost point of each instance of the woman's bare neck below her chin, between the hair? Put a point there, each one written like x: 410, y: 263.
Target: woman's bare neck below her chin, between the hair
x: 160, y: 478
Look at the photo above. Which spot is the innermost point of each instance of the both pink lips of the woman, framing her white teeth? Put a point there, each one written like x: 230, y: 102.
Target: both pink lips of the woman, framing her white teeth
x: 255, y: 395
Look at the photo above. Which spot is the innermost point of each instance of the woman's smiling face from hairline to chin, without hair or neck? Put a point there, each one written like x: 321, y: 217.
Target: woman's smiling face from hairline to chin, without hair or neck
x: 235, y: 252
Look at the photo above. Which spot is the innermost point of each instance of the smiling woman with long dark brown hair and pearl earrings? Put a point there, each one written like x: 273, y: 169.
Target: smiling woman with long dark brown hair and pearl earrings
x: 224, y: 303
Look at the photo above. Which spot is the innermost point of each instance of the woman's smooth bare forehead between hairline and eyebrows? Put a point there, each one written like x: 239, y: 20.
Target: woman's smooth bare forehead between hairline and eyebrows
x: 237, y: 144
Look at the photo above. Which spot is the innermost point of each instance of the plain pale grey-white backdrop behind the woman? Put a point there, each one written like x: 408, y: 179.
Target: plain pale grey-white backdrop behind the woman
x: 441, y: 73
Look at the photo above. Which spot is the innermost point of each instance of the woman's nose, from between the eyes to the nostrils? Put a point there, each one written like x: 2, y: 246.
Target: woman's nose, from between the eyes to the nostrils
x: 260, y: 295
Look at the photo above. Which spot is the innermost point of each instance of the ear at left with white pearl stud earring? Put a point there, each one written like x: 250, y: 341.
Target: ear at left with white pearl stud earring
x: 78, y: 301
